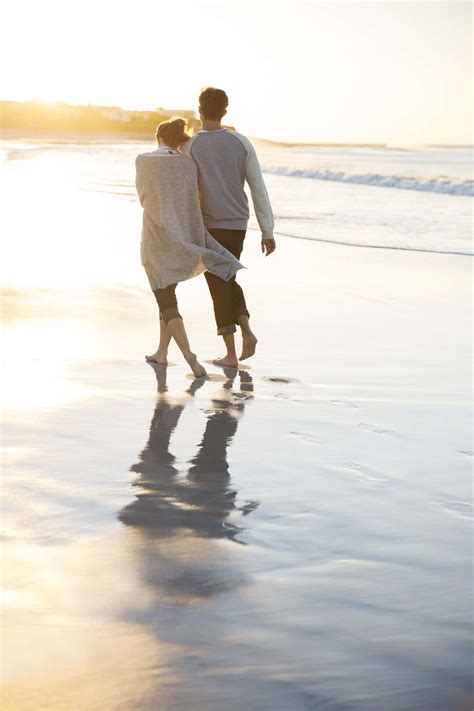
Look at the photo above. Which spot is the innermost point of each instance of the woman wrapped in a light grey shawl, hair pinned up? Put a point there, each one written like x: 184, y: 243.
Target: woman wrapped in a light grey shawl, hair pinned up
x: 175, y: 244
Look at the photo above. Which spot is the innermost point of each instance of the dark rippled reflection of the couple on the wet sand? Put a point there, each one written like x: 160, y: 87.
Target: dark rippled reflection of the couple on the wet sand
x: 203, y: 499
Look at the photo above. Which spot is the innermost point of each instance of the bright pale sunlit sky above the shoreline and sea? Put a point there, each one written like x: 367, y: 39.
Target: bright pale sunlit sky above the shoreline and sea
x: 366, y: 72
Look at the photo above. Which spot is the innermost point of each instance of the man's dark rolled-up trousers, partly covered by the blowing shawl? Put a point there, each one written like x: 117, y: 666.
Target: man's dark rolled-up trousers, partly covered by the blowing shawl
x: 227, y: 296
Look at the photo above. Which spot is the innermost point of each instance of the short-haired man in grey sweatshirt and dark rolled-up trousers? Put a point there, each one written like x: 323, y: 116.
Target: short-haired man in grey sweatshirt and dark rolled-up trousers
x: 226, y: 160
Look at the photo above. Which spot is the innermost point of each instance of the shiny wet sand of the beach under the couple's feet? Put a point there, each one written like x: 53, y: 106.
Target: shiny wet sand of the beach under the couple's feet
x: 290, y: 536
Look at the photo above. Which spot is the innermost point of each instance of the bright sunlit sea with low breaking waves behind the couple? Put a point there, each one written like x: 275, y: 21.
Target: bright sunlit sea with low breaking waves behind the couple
x: 72, y: 208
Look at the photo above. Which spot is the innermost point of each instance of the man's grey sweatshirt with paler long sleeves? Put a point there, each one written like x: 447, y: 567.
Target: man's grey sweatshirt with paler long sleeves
x: 225, y: 161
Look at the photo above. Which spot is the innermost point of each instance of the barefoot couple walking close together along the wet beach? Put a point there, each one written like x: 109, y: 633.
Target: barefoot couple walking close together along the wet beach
x: 195, y: 214
